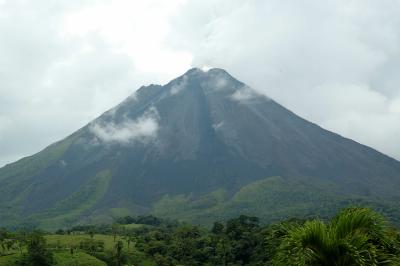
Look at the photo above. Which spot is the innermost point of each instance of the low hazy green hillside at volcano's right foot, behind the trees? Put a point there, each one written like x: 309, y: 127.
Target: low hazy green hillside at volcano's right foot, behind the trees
x: 271, y: 199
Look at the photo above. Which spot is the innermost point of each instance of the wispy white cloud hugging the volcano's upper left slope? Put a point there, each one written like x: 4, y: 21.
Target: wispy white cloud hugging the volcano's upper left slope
x: 128, y: 131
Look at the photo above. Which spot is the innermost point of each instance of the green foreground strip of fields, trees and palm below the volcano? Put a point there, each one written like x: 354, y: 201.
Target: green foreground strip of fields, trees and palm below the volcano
x: 355, y: 236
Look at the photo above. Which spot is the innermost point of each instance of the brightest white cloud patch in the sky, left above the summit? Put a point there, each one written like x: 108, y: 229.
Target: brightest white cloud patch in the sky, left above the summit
x: 135, y: 28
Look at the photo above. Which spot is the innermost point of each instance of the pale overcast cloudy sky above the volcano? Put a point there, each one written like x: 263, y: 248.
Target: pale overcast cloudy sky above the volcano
x: 63, y: 63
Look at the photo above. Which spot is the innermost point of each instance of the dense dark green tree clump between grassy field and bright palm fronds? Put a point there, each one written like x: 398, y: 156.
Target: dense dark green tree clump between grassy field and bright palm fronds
x: 239, y: 242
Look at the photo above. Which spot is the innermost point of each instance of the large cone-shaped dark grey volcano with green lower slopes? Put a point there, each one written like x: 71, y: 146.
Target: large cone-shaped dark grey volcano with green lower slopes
x: 195, y: 146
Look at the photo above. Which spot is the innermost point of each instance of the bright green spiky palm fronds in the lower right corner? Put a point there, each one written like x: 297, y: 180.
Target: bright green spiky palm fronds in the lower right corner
x: 356, y: 236
